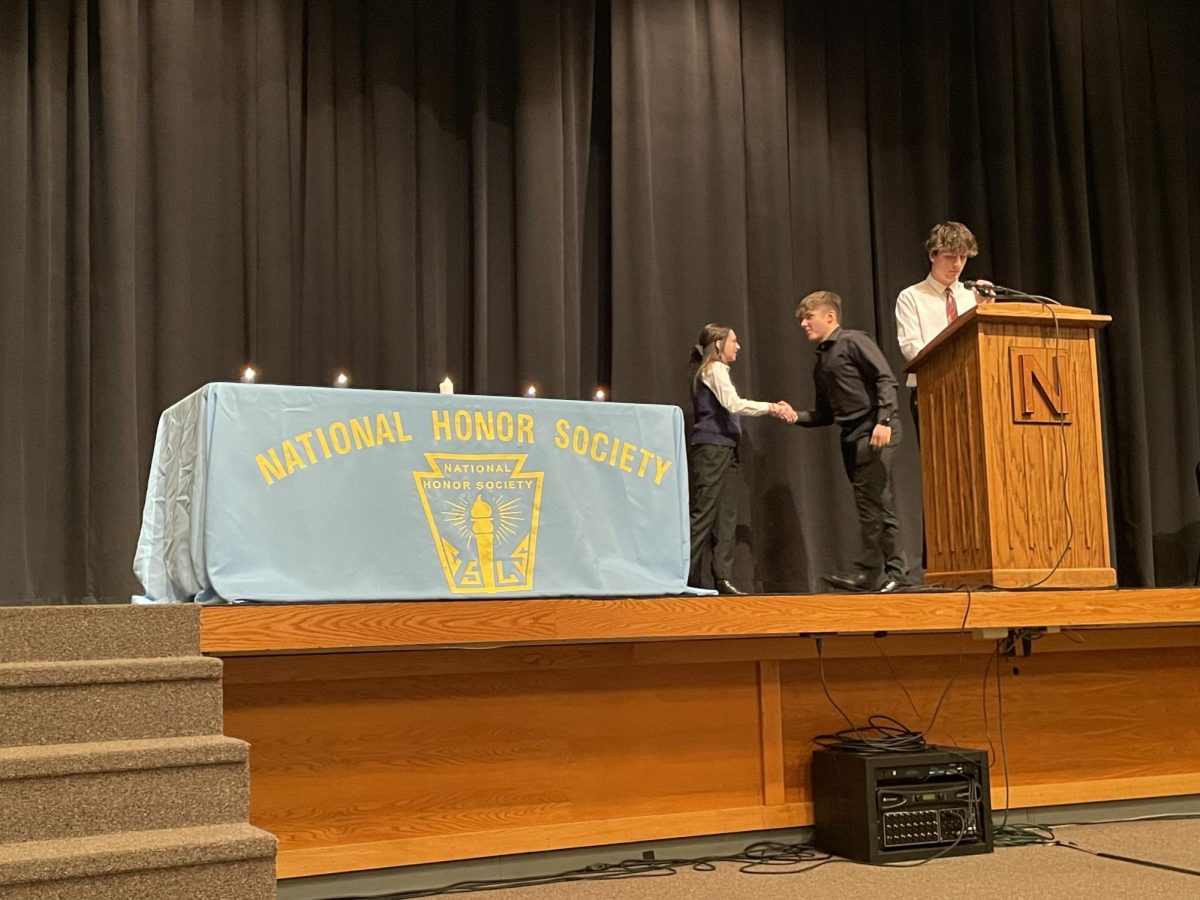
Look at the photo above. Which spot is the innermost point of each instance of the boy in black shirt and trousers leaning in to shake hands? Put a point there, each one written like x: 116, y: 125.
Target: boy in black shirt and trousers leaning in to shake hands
x: 857, y: 392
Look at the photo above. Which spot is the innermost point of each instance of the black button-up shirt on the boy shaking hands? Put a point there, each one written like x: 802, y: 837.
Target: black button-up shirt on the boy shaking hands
x: 855, y: 383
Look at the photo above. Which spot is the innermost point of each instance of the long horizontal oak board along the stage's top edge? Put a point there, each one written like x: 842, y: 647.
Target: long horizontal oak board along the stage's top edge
x: 229, y: 631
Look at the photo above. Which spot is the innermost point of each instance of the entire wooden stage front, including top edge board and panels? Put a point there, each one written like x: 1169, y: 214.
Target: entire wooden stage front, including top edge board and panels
x: 395, y: 734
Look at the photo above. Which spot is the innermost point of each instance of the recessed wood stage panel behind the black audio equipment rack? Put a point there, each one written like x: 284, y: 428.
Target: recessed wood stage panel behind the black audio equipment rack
x: 1108, y: 716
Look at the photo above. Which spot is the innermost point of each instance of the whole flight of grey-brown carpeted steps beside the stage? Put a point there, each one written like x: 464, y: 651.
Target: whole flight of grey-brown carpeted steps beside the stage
x: 116, y: 781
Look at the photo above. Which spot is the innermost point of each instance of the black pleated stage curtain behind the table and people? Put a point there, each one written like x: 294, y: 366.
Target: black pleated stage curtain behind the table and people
x: 566, y: 193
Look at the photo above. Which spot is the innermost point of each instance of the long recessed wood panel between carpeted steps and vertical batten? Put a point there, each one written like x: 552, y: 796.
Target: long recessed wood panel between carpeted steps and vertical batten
x: 388, y: 758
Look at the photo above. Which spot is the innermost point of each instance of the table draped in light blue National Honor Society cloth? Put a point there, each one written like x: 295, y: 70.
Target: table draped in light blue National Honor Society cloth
x: 285, y: 494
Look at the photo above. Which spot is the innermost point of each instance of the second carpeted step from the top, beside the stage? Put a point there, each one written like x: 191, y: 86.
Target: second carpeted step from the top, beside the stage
x: 73, y: 703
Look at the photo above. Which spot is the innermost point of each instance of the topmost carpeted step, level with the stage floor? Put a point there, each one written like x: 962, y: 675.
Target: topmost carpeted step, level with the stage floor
x: 29, y: 634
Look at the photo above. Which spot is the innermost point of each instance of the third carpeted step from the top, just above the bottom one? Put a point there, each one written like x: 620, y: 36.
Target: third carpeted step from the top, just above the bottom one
x: 79, y: 790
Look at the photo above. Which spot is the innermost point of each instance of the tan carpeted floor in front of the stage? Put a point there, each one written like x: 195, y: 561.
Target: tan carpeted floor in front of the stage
x: 1030, y: 873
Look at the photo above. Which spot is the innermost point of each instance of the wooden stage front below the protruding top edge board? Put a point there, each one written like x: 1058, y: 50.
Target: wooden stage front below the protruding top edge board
x: 368, y: 760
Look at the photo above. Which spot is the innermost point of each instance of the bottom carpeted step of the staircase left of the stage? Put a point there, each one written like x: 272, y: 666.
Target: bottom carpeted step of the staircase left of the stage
x: 227, y: 862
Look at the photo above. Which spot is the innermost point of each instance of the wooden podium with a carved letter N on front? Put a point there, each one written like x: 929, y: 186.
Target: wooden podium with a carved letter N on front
x: 1009, y: 394
